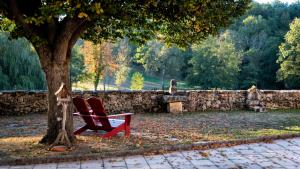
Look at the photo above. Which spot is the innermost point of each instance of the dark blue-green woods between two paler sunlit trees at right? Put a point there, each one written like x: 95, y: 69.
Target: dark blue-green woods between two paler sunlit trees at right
x: 257, y: 35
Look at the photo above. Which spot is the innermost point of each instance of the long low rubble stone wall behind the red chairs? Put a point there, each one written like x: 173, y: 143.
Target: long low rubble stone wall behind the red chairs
x: 24, y: 102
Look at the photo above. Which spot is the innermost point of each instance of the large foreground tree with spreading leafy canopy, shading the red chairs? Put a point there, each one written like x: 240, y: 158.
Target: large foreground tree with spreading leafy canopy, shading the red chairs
x: 53, y: 27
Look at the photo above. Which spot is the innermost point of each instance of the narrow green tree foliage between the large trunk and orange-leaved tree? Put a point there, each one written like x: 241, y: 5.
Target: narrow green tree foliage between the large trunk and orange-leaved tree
x: 78, y: 71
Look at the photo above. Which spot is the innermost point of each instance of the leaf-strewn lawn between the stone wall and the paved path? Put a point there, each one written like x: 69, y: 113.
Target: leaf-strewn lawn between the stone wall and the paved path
x: 19, y: 136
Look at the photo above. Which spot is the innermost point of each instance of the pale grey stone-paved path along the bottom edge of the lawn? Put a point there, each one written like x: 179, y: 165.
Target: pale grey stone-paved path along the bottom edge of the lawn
x: 280, y: 154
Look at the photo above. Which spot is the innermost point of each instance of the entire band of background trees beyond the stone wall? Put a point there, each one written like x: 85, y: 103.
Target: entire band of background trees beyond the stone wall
x: 261, y: 48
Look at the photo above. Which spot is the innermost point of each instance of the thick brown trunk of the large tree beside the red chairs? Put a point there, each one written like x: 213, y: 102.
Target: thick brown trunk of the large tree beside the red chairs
x: 57, y: 72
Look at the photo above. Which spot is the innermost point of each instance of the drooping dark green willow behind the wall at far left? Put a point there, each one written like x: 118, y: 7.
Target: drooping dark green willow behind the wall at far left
x: 19, y: 65
